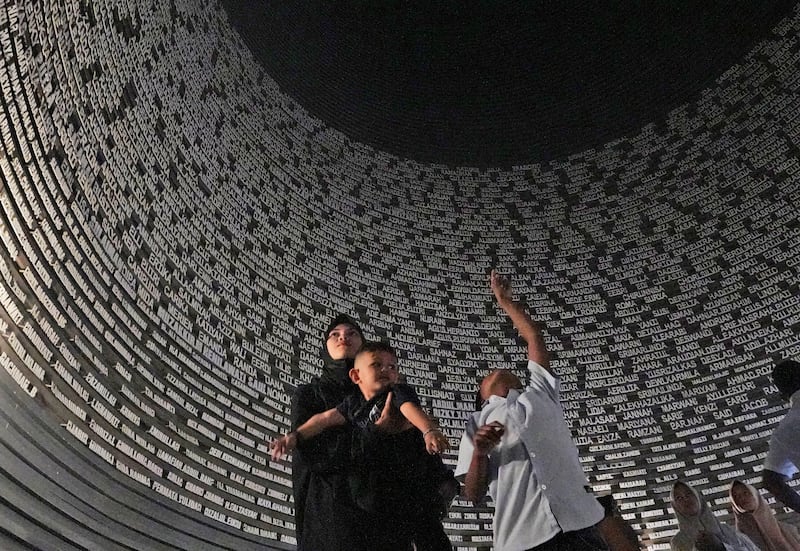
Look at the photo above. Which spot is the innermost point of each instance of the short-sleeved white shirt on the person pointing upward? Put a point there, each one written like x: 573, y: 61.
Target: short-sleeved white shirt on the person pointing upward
x: 535, y: 478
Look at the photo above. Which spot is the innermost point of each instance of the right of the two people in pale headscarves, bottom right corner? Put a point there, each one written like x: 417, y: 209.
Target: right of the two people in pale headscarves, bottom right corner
x: 756, y: 520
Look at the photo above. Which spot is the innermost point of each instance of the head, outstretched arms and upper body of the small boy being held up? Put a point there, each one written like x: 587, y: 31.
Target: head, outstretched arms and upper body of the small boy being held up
x: 375, y: 373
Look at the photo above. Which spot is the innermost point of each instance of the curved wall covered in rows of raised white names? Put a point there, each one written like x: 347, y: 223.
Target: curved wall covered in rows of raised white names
x: 178, y: 232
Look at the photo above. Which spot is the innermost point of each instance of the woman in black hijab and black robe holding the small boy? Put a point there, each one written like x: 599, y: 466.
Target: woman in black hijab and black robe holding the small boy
x: 325, y: 516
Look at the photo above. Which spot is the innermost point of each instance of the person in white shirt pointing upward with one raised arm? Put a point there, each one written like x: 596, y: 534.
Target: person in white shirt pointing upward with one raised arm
x: 520, y: 450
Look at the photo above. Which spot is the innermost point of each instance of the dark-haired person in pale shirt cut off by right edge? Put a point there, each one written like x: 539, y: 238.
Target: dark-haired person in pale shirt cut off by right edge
x: 783, y: 459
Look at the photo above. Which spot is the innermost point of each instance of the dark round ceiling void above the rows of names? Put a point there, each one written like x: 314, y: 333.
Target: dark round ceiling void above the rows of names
x: 497, y: 83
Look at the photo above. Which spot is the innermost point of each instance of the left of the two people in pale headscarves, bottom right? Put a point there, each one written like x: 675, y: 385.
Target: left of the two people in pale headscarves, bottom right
x: 698, y: 528
